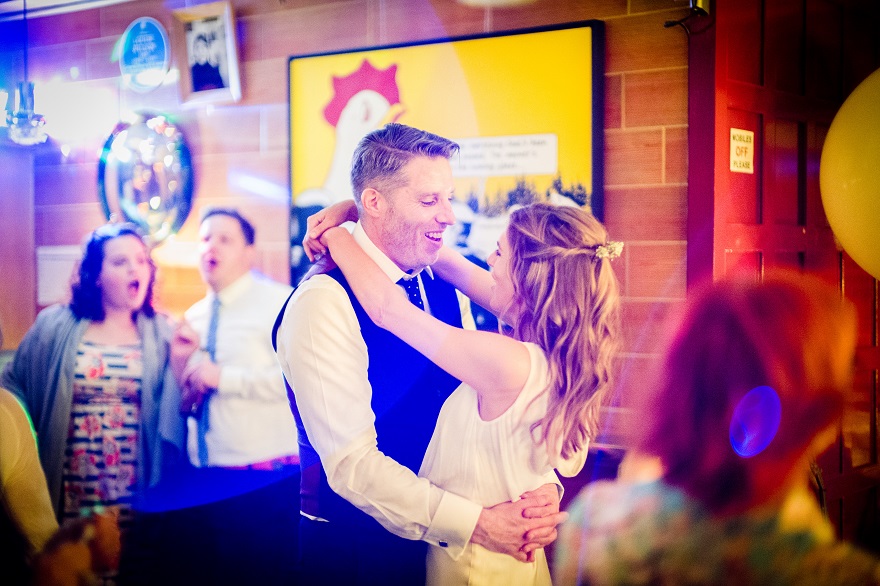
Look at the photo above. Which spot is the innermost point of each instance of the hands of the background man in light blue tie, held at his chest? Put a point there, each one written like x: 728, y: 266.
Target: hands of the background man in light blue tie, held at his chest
x: 198, y: 377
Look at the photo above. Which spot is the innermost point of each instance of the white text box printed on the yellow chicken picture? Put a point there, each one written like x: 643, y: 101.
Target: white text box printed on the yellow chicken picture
x: 523, y: 154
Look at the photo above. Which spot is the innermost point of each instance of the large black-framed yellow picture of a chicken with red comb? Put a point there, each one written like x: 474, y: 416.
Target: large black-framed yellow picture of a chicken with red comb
x: 526, y: 107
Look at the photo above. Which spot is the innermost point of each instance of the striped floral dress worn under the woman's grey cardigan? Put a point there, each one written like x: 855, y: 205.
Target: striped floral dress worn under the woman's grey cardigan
x: 101, y: 454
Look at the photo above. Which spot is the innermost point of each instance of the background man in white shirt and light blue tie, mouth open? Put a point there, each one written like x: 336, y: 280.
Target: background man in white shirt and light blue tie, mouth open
x: 241, y: 435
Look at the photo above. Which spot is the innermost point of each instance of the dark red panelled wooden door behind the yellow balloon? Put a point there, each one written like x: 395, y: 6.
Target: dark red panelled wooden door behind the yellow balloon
x: 780, y: 70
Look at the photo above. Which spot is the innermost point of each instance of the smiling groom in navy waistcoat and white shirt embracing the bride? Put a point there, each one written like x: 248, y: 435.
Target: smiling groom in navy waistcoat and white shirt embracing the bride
x: 367, y: 403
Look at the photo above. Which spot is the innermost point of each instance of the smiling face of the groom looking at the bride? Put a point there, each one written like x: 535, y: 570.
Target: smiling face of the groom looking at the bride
x: 415, y: 214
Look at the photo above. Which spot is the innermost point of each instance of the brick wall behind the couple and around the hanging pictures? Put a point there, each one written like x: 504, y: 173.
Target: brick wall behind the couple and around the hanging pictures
x: 645, y: 125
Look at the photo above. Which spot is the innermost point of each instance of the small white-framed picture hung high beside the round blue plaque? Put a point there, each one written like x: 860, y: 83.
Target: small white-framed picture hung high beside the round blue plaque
x: 207, y: 53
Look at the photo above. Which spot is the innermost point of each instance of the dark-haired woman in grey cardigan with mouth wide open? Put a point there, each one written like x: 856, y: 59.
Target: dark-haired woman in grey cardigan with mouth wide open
x: 96, y: 380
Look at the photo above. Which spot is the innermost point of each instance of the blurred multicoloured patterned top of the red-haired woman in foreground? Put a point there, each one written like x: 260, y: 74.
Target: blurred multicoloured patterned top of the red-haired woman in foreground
x: 651, y: 533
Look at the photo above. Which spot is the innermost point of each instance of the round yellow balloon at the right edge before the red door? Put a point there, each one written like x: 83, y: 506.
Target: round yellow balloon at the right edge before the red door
x: 849, y: 175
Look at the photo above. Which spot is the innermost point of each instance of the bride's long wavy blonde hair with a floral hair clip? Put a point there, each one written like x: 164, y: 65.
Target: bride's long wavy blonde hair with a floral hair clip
x: 566, y: 299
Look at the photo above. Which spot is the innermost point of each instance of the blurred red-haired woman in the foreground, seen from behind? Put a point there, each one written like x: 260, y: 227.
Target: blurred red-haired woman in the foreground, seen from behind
x: 752, y: 389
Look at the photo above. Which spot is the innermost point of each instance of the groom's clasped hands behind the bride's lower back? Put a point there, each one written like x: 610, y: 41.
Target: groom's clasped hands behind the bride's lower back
x: 508, y: 527
